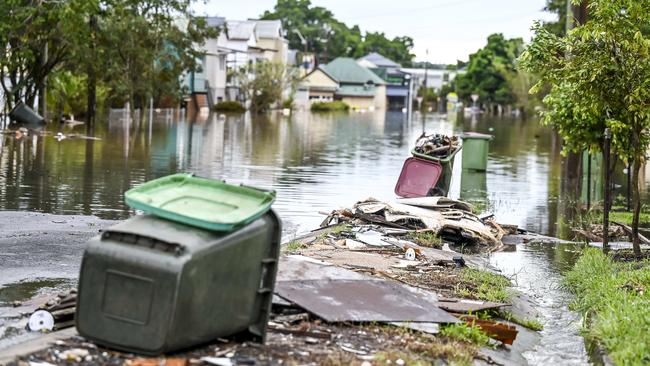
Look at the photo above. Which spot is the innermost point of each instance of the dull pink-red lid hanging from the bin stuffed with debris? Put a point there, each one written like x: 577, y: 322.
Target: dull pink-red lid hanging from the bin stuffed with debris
x: 417, y: 178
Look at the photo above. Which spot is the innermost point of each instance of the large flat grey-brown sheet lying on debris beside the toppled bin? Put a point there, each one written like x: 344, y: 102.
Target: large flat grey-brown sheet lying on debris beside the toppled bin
x: 364, y: 301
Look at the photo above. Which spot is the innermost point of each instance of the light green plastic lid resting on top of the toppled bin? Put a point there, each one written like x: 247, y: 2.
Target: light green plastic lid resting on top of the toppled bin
x: 205, y: 203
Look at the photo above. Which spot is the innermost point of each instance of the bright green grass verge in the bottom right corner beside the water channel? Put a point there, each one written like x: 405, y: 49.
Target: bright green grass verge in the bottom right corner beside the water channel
x: 615, y: 299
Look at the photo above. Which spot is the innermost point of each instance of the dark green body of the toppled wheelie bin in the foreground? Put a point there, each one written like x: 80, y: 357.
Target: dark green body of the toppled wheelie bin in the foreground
x: 152, y: 286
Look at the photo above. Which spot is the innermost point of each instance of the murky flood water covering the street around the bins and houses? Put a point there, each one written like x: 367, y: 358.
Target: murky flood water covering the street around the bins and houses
x: 316, y: 163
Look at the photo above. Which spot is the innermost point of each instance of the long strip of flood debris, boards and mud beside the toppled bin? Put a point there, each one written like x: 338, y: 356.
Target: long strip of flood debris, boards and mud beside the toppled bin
x: 375, y: 280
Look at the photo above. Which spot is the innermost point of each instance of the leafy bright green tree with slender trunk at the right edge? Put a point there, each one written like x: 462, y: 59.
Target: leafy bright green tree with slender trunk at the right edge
x: 600, y: 78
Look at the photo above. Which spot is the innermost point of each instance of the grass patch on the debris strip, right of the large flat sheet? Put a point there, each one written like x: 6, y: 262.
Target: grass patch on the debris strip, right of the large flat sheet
x: 483, y: 285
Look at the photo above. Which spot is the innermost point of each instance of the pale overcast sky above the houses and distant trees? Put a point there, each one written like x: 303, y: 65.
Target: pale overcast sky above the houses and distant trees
x: 449, y: 29
